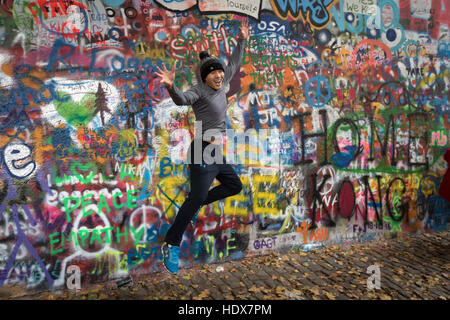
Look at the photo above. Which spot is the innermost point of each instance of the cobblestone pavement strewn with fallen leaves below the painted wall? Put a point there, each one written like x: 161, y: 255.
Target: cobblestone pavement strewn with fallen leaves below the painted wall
x: 412, y: 266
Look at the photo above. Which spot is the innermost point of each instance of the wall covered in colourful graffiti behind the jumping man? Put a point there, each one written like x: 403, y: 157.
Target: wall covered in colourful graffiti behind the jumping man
x: 354, y: 94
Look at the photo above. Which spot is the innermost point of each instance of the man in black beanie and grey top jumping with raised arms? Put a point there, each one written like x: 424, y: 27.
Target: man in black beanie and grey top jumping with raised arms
x: 209, y: 102
